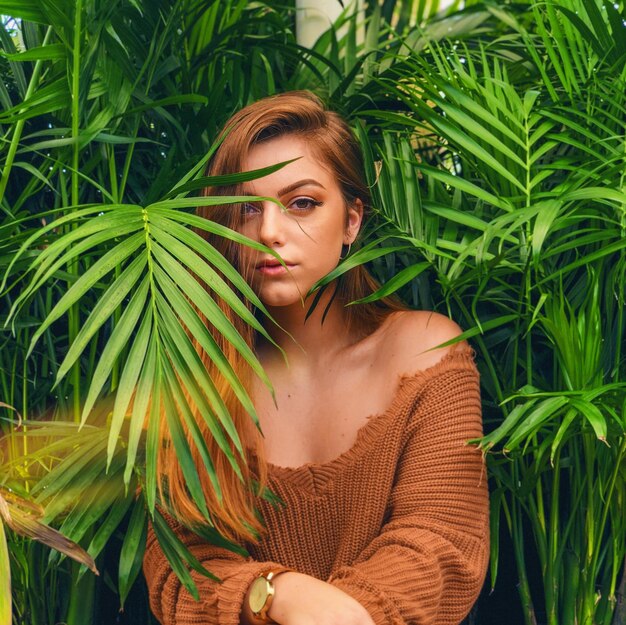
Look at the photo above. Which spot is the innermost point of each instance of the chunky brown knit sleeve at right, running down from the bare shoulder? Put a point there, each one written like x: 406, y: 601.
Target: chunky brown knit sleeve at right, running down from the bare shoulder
x: 427, y: 565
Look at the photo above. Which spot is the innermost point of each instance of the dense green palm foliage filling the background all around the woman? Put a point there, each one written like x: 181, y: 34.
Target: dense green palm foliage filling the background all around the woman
x: 496, y: 150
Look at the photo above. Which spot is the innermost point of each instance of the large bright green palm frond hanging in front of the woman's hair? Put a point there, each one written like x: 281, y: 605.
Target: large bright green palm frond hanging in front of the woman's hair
x: 152, y: 260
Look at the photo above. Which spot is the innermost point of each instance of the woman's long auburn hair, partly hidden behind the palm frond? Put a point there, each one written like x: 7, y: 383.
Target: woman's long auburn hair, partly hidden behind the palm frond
x: 302, y: 114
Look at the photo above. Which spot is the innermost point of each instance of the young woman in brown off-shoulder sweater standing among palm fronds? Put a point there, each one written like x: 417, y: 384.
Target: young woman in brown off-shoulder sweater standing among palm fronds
x: 384, y: 510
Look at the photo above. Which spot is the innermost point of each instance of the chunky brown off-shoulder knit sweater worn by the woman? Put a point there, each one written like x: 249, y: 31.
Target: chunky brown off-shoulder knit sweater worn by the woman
x: 399, y: 521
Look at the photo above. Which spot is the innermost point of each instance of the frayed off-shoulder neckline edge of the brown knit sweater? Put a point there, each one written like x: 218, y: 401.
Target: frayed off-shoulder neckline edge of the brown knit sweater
x: 407, y: 387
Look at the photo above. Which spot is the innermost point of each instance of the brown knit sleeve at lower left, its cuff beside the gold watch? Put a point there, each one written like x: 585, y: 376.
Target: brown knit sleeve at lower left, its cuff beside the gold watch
x: 220, y: 603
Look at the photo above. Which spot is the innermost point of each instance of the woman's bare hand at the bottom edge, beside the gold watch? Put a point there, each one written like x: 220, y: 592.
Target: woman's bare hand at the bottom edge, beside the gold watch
x: 304, y: 600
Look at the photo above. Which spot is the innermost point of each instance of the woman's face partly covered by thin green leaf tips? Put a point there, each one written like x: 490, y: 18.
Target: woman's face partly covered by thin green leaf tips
x: 308, y: 233
